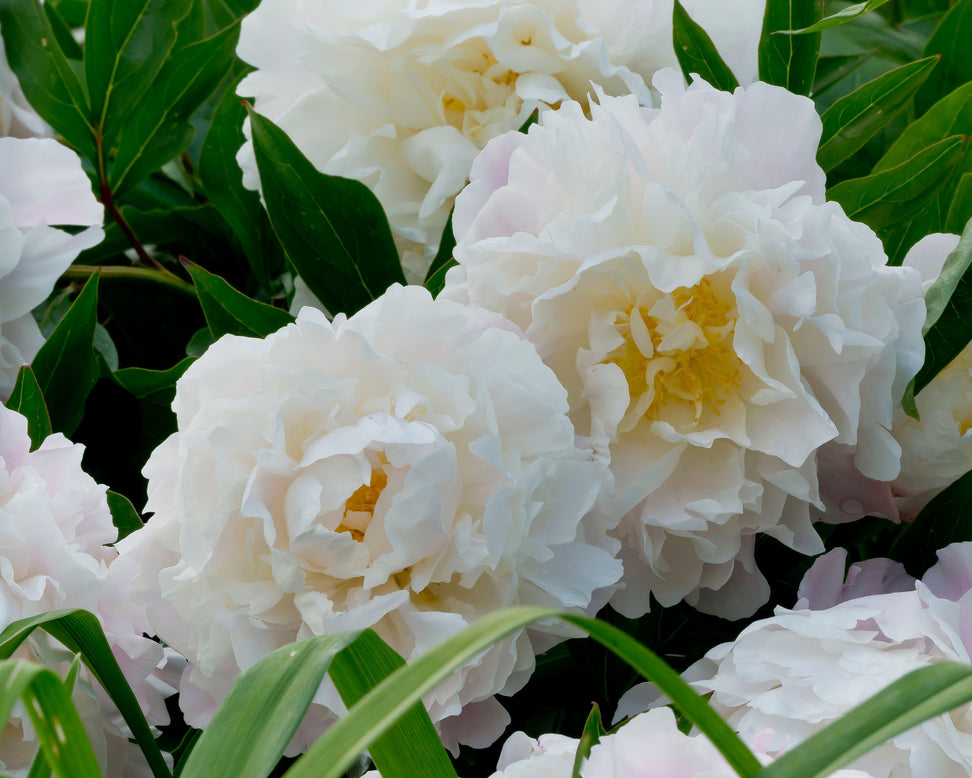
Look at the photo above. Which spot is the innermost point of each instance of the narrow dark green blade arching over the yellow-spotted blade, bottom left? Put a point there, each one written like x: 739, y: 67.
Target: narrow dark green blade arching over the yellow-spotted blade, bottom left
x: 81, y: 632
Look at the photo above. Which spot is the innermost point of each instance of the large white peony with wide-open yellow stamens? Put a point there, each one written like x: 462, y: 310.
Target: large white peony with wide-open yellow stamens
x: 715, y: 322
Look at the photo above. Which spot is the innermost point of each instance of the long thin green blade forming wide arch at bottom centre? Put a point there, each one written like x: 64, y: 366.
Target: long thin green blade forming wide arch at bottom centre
x: 332, y: 754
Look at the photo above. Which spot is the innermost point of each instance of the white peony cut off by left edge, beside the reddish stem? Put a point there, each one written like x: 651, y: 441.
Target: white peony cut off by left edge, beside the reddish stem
x: 42, y: 187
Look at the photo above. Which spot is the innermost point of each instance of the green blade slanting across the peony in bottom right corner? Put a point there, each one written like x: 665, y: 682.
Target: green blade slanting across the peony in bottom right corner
x: 921, y: 694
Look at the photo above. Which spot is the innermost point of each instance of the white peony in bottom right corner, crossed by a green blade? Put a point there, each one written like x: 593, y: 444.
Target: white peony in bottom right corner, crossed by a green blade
x: 800, y: 670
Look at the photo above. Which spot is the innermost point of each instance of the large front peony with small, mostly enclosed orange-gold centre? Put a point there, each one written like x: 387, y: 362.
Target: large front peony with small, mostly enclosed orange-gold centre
x: 408, y: 469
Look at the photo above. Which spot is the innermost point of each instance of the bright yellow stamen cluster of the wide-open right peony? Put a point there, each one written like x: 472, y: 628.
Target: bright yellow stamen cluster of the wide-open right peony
x: 678, y: 352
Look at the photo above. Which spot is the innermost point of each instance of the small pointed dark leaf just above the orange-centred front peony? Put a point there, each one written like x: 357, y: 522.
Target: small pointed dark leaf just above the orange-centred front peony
x: 231, y: 312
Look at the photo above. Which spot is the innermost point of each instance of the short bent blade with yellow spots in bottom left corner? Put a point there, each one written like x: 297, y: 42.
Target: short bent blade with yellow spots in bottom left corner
x: 48, y: 703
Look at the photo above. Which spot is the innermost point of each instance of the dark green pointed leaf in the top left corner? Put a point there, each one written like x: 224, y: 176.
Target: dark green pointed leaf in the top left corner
x: 49, y: 83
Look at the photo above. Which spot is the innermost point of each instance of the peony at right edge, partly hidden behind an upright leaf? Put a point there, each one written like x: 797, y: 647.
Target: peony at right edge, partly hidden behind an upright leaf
x: 936, y: 450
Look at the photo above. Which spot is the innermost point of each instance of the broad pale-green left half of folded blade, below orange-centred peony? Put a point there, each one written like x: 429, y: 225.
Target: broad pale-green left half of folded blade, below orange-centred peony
x: 262, y: 711
